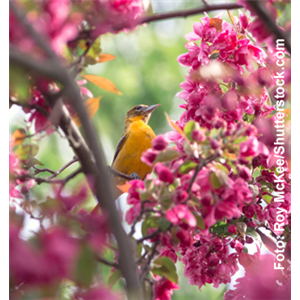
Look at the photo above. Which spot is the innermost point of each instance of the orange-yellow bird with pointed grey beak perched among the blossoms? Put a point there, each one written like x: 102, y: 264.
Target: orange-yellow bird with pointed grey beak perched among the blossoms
x: 136, y: 139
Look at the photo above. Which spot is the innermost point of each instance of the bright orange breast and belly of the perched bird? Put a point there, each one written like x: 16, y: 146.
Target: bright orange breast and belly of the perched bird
x: 128, y: 161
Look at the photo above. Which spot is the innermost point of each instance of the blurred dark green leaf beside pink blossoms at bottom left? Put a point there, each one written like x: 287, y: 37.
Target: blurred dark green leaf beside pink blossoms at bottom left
x: 86, y: 267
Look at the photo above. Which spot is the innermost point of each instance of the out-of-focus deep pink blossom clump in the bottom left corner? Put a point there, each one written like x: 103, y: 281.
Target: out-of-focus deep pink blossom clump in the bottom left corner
x: 52, y: 259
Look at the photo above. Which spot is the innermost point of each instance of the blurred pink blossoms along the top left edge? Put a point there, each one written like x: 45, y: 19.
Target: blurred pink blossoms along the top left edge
x: 61, y: 21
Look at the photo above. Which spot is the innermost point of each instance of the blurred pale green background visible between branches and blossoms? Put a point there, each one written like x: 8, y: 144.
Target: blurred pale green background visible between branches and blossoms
x: 146, y: 71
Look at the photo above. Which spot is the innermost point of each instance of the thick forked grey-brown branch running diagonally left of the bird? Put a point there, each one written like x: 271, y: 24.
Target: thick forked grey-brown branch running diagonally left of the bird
x: 96, y: 167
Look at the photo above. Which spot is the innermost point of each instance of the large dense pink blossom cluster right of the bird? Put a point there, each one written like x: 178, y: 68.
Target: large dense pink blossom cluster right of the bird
x: 227, y: 101
